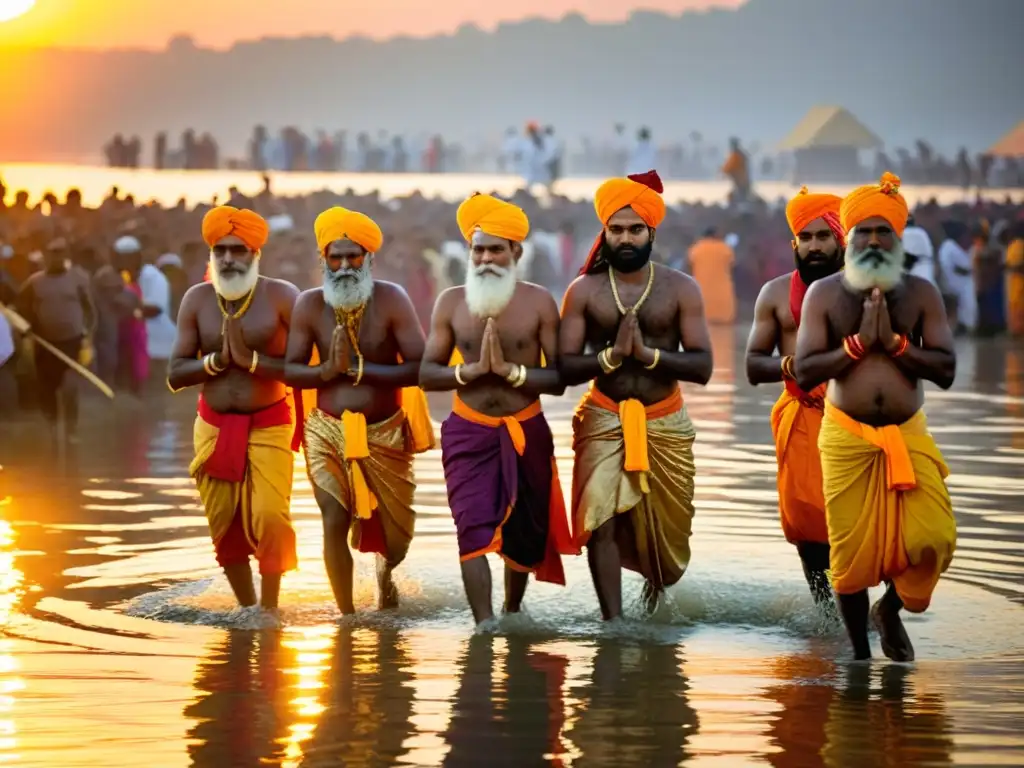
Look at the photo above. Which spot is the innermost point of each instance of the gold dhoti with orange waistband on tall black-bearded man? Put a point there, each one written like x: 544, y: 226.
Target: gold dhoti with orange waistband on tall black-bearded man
x: 639, y: 463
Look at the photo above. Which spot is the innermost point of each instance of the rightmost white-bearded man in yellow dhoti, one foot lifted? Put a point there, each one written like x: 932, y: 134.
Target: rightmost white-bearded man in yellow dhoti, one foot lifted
x: 875, y: 333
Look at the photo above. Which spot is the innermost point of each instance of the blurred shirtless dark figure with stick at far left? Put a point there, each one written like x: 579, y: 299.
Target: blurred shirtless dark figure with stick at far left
x: 58, y: 305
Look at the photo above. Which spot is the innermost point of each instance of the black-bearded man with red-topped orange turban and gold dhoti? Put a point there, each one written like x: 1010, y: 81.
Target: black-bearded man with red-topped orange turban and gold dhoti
x: 635, y: 331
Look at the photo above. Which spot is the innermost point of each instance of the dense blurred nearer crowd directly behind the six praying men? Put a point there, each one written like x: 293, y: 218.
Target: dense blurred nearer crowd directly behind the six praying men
x: 973, y: 252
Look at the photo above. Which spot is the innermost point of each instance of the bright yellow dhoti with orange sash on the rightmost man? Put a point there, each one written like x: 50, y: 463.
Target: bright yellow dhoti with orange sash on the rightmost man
x: 890, y: 518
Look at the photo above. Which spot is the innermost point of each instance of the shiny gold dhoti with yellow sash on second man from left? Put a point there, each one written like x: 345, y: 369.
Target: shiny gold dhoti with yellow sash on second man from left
x: 369, y: 472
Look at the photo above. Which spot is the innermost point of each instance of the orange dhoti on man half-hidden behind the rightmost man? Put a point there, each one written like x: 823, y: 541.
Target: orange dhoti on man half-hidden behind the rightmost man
x: 796, y: 421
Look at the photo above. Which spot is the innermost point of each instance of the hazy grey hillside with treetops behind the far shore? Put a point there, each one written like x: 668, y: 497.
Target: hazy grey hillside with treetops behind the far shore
x: 946, y: 70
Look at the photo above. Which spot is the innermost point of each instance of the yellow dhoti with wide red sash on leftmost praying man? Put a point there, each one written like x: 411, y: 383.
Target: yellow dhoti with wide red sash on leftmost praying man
x: 243, y: 468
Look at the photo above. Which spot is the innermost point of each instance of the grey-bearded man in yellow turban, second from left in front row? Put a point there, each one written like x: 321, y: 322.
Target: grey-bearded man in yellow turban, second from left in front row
x: 359, y: 441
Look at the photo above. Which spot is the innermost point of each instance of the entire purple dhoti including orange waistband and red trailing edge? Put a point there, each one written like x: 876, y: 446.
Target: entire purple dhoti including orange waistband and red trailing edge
x: 504, y: 491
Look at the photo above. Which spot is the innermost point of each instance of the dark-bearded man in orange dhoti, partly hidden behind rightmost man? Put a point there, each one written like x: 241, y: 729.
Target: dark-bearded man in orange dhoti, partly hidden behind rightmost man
x: 796, y: 419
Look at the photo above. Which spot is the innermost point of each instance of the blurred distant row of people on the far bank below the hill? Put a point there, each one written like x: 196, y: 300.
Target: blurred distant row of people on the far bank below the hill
x: 538, y: 154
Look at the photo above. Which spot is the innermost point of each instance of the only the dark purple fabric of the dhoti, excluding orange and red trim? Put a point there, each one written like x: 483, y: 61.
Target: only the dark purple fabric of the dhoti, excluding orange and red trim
x: 485, y: 476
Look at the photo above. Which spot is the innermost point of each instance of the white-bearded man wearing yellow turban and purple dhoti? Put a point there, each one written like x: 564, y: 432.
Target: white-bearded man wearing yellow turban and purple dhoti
x: 496, y: 447
